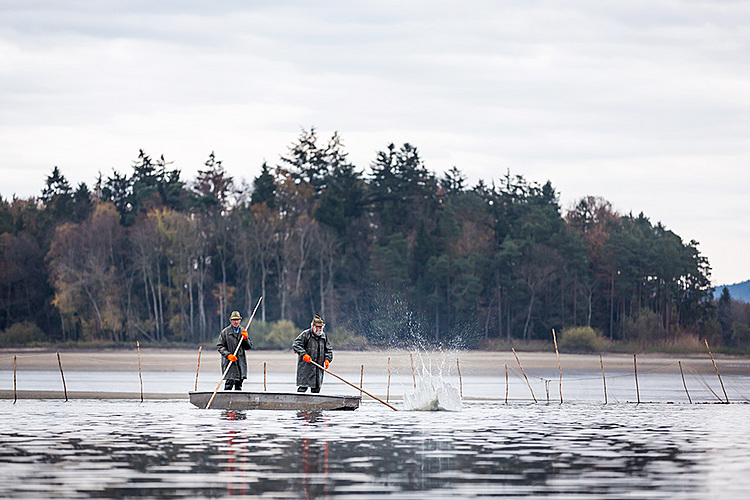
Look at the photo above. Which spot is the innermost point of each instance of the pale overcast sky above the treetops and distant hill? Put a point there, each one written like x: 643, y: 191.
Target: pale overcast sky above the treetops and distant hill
x: 644, y: 103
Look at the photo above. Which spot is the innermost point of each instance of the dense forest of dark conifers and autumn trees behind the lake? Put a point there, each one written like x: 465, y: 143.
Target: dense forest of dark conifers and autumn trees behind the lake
x: 391, y: 255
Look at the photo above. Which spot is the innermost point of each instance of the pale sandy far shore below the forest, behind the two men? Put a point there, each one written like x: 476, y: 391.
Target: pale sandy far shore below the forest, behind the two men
x: 472, y: 363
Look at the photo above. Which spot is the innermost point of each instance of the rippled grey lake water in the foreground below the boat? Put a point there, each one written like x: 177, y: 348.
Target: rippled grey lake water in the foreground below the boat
x: 170, y: 449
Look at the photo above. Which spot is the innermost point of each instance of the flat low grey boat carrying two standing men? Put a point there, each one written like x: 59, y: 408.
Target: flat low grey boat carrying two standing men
x: 239, y: 400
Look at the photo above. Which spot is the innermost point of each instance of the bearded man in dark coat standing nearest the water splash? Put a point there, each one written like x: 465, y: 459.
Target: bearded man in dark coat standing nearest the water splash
x: 312, y: 345
